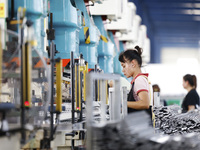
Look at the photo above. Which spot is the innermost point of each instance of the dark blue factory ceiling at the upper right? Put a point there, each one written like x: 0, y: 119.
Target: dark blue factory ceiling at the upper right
x: 170, y: 23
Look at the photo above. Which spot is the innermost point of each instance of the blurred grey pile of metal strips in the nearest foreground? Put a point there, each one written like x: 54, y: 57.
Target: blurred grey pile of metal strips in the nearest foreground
x: 134, y: 133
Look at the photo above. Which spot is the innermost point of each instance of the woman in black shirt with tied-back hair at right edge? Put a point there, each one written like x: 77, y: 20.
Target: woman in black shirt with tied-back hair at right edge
x: 191, y: 100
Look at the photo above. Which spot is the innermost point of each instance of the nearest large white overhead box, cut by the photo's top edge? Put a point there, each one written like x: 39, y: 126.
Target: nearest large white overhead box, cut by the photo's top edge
x: 111, y: 8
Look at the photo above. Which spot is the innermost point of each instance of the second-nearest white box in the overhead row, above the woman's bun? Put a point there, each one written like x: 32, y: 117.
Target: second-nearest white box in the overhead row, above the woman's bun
x: 126, y: 22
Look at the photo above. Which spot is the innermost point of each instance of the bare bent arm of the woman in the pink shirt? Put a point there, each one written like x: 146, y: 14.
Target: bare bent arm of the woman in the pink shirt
x: 143, y: 103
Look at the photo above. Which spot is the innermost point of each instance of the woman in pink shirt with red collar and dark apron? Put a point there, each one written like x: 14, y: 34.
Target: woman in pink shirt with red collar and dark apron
x: 140, y: 96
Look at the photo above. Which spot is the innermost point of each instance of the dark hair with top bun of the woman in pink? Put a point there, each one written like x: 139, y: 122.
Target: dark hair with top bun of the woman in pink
x: 131, y: 54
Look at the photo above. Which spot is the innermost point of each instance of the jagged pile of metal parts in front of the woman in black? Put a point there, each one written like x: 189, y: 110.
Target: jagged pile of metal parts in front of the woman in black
x: 169, y: 120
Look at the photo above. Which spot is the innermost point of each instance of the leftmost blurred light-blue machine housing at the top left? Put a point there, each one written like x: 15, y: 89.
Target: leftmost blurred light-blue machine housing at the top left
x: 38, y: 17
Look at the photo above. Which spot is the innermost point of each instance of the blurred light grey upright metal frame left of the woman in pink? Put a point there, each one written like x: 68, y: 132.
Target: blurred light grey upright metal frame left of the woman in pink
x: 116, y: 104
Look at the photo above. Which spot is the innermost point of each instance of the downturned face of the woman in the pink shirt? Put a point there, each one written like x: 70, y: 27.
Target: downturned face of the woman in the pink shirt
x: 127, y: 69
